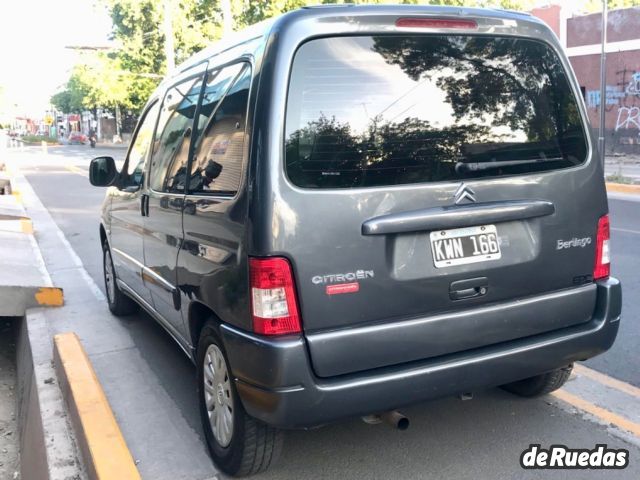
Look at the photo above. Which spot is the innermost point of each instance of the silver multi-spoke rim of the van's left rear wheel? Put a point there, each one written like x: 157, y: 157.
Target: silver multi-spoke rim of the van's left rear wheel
x: 218, y: 396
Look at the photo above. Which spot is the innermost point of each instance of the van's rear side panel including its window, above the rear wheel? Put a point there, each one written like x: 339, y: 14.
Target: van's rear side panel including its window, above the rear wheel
x: 210, y: 265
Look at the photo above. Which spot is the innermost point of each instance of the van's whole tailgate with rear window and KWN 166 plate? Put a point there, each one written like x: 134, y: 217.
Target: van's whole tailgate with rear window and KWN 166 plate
x: 434, y: 178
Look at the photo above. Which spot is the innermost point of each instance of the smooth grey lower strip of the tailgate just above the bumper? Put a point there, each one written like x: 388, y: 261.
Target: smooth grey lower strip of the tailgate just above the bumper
x: 334, y: 352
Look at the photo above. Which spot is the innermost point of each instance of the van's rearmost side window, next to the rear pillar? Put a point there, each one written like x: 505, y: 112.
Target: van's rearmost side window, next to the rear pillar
x: 219, y: 153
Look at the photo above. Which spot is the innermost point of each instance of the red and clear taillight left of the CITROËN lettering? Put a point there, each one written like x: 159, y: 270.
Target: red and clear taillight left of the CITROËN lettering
x: 273, y: 297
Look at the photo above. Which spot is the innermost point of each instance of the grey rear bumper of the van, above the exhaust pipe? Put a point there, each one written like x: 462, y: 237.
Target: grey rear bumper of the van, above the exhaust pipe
x: 277, y: 385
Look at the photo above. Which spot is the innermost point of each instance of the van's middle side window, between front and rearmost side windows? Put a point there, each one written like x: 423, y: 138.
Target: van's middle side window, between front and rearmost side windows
x: 173, y: 137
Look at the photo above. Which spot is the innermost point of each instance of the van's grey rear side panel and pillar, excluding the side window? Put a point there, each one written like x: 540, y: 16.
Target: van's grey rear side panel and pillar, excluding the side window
x: 212, y: 263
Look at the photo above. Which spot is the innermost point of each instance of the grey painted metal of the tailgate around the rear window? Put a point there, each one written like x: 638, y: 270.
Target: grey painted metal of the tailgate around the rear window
x: 325, y: 232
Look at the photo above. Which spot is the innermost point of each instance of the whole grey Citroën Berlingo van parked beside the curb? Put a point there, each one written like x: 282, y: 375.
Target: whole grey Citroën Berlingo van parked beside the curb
x: 350, y: 209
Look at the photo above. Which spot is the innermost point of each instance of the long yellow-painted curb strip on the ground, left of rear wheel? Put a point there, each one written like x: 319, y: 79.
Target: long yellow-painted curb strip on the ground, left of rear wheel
x: 104, y: 449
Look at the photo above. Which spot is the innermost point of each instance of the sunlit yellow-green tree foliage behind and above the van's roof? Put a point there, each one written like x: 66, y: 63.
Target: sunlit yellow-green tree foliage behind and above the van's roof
x: 126, y: 76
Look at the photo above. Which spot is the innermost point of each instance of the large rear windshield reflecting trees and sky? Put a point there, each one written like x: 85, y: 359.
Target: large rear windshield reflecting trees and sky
x: 390, y: 110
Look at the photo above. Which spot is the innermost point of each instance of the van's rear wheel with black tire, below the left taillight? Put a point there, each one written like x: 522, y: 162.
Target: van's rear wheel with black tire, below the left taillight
x: 248, y: 446
